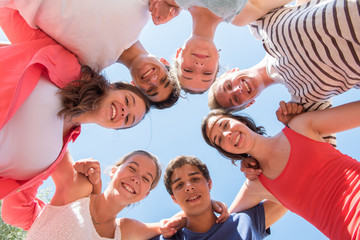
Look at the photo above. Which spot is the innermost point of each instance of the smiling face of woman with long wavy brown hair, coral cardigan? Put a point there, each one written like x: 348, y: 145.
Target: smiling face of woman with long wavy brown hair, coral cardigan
x: 120, y: 109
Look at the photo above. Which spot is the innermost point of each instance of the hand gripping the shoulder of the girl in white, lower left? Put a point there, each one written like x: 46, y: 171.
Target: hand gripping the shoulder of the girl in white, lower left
x: 90, y: 168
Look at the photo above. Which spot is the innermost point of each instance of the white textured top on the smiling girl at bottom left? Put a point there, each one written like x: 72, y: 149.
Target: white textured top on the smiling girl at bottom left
x: 71, y: 221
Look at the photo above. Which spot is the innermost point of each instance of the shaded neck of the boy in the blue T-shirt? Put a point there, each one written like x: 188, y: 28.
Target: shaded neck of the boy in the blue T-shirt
x: 201, y: 223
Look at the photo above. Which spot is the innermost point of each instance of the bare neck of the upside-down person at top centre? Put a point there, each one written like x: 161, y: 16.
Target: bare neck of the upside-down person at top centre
x: 204, y: 22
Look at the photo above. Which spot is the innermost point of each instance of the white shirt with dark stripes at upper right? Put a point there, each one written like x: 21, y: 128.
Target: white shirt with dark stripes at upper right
x: 314, y: 48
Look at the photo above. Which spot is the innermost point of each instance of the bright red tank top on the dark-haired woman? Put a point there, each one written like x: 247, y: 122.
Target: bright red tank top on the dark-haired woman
x: 320, y: 184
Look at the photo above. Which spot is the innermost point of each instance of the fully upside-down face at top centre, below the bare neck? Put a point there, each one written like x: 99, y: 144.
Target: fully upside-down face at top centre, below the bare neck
x: 198, y: 64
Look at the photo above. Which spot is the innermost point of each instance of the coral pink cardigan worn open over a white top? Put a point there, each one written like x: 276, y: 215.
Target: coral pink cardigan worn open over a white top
x: 22, y: 63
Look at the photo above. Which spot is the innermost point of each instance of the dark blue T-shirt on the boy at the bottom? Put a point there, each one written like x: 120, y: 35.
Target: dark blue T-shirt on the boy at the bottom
x: 246, y: 225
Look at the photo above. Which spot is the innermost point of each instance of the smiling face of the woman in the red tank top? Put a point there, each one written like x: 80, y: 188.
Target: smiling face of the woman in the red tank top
x: 229, y: 134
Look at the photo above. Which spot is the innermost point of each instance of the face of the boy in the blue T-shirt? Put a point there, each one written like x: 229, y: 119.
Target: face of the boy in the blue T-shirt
x: 191, y: 190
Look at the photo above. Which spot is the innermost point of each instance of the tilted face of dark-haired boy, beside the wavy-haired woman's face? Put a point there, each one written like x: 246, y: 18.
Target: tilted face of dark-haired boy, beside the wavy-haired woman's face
x: 151, y: 77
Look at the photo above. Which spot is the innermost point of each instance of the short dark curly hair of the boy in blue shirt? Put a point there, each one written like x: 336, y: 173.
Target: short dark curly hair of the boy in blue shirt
x: 180, y: 161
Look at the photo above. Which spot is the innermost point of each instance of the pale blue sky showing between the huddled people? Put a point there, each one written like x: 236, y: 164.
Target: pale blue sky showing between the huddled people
x: 175, y: 131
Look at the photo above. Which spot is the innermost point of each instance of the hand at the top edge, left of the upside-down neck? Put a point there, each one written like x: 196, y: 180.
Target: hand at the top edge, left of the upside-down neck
x: 162, y: 11
